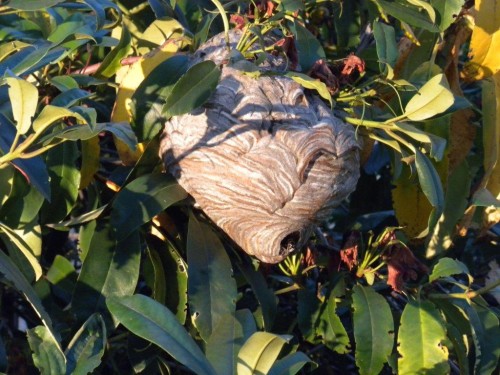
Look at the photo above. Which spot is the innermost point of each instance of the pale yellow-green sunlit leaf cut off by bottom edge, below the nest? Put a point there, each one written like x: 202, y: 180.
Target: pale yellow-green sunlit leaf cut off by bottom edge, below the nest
x: 260, y: 352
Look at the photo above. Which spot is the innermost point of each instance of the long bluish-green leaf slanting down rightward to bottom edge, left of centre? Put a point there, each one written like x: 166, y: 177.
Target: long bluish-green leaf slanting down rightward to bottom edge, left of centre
x: 152, y: 321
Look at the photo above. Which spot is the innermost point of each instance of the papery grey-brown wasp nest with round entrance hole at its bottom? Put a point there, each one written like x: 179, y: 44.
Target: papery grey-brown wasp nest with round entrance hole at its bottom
x: 264, y: 159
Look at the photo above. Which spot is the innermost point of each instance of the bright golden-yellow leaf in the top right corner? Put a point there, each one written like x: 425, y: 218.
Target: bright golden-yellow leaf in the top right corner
x: 485, y: 41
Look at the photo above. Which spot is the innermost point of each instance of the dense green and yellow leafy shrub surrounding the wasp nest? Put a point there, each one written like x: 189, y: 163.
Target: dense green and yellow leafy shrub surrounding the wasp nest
x: 107, y: 268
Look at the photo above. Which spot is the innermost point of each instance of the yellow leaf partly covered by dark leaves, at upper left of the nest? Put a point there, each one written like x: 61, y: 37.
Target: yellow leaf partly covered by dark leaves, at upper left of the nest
x: 131, y: 77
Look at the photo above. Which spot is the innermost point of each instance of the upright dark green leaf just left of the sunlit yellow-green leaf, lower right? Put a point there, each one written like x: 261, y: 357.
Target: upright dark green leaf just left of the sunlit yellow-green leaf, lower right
x: 373, y: 329
